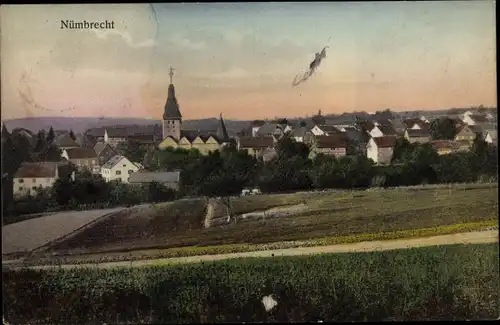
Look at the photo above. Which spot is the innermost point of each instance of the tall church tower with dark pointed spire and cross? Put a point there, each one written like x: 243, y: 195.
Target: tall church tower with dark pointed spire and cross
x: 172, y: 117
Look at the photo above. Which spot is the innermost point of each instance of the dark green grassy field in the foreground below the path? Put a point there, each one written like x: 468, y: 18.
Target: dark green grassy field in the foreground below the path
x: 449, y: 282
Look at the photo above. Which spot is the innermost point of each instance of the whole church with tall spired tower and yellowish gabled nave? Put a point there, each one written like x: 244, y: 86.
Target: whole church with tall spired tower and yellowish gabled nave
x: 175, y: 136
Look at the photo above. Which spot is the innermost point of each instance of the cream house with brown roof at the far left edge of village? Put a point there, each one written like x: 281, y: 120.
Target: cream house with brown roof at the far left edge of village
x: 31, y: 177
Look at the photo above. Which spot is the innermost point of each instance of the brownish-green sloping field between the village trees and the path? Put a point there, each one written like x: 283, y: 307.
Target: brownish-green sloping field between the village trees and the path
x: 337, y: 213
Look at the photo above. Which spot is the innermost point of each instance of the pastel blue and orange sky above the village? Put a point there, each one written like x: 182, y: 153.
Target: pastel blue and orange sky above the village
x: 240, y: 59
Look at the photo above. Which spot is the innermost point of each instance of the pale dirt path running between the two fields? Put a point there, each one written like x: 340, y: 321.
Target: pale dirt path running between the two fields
x: 481, y: 237
